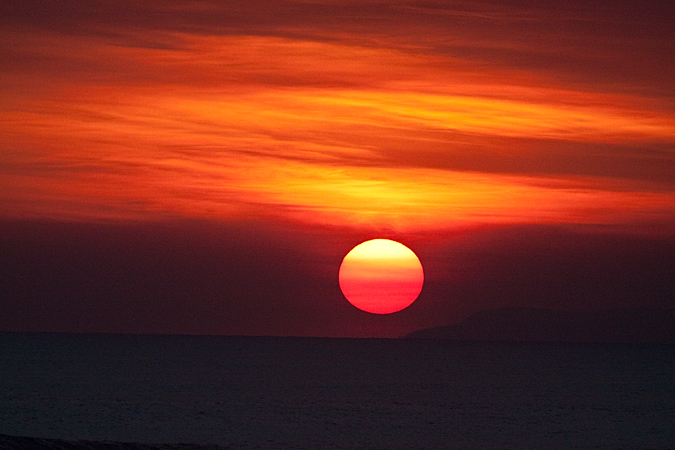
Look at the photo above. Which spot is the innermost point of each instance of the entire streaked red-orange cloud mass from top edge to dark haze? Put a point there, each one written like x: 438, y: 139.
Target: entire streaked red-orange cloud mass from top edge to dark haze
x: 192, y: 109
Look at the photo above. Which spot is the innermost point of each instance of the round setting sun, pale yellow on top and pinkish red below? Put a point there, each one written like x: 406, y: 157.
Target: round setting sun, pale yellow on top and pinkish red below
x: 381, y: 276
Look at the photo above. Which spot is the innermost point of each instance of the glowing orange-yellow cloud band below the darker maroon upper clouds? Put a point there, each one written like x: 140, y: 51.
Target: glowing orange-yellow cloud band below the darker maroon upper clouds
x: 343, y: 132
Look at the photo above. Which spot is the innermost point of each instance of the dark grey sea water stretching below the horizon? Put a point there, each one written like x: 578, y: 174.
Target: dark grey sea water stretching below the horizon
x: 283, y: 393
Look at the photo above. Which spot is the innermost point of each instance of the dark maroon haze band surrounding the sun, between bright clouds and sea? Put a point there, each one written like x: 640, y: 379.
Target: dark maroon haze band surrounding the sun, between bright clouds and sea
x: 250, y: 278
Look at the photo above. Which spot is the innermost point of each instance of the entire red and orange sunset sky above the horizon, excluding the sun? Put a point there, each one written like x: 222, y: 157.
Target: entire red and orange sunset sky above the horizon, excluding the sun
x: 203, y: 167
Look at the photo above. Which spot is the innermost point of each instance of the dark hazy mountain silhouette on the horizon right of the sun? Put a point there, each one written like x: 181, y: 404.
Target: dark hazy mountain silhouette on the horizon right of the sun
x: 630, y: 326
